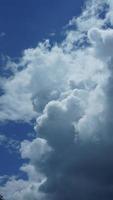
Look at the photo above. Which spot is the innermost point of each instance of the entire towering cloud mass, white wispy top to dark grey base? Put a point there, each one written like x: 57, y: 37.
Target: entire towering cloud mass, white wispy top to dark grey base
x: 68, y: 88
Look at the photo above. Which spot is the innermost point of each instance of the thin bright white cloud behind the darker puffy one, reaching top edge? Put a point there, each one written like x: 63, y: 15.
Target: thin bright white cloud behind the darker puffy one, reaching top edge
x: 47, y: 70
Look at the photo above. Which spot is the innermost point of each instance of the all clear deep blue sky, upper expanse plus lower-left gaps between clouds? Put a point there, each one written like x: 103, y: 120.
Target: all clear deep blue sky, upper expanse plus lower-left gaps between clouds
x: 24, y: 24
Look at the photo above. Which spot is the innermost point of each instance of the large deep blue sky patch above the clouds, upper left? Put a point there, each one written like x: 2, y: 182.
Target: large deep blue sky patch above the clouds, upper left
x: 27, y: 22
